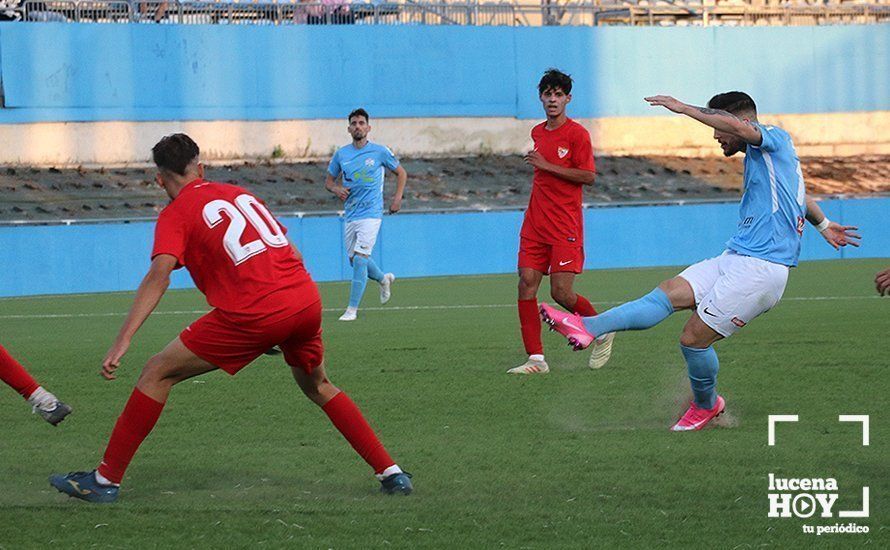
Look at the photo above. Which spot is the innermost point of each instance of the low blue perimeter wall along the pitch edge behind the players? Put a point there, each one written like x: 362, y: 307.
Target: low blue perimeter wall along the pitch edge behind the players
x: 111, y: 257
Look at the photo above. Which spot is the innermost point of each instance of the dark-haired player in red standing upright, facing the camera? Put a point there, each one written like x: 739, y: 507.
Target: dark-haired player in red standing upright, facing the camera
x: 552, y: 238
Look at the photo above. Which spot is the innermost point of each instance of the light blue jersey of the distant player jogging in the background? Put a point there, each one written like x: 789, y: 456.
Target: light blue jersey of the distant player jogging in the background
x: 363, y: 171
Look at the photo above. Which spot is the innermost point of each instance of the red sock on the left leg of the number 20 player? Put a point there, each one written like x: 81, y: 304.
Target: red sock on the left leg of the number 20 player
x: 132, y: 427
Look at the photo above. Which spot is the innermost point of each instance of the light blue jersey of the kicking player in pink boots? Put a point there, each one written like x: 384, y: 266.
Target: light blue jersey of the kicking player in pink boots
x: 773, y: 208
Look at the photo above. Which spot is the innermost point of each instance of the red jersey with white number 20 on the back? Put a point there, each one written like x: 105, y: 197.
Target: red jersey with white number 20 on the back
x: 236, y: 252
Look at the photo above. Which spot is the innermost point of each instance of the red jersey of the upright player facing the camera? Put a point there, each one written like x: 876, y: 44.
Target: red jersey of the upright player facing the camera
x: 554, y: 208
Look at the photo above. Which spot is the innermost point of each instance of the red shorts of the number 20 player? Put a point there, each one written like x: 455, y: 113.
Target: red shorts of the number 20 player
x: 230, y: 346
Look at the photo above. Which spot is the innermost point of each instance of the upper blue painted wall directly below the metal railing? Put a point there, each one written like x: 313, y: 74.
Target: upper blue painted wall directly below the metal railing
x: 87, y: 72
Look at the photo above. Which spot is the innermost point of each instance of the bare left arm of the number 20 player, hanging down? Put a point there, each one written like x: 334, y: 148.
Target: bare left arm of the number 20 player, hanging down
x: 149, y: 293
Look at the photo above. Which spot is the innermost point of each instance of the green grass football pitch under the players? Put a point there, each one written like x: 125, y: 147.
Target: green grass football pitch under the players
x: 576, y: 458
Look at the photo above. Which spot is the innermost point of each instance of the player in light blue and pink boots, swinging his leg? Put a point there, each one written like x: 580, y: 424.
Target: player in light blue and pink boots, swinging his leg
x: 748, y: 279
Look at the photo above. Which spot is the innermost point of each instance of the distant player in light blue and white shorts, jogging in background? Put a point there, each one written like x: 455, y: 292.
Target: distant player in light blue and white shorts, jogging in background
x: 362, y: 165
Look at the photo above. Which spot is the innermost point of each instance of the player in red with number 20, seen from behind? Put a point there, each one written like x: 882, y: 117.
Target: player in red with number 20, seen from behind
x: 239, y: 257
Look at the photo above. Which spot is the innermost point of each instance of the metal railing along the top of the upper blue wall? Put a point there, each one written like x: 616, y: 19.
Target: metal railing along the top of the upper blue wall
x: 421, y: 13
